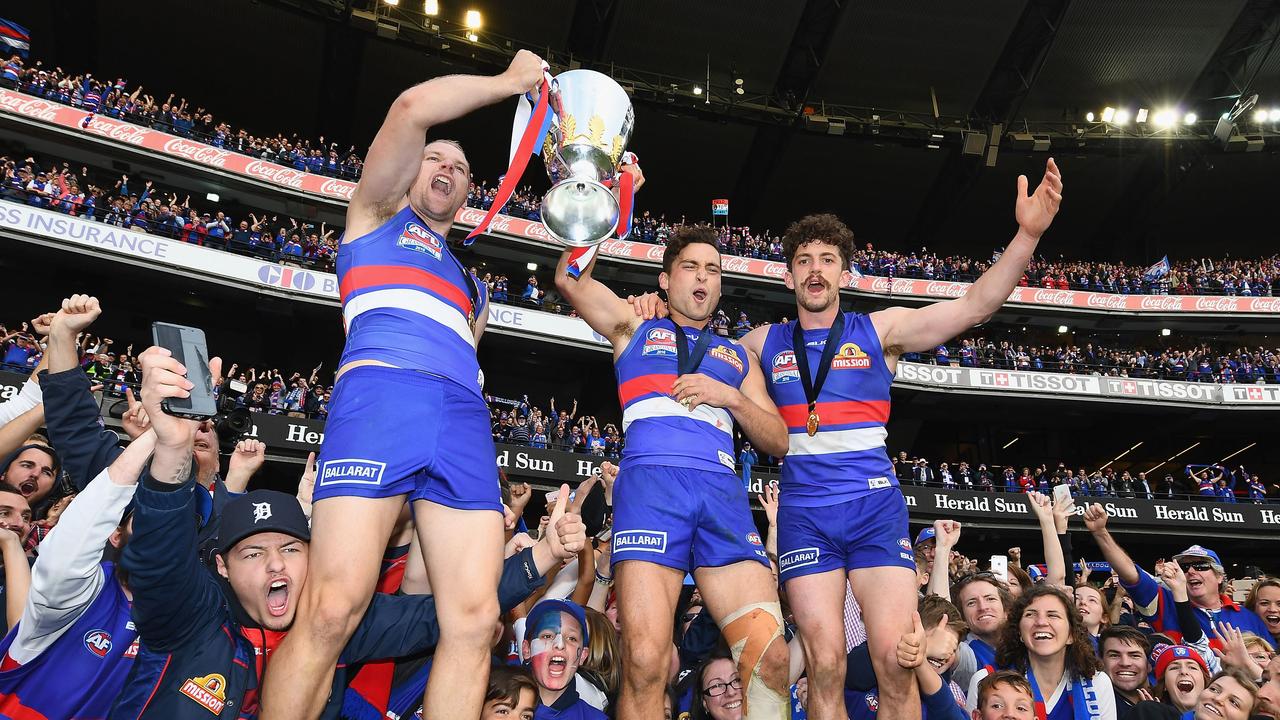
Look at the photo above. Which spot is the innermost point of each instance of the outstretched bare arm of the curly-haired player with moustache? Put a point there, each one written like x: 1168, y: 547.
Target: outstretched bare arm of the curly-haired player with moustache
x: 906, y: 330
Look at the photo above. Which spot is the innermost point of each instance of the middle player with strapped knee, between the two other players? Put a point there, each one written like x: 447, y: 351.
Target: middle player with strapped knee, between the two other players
x: 679, y: 505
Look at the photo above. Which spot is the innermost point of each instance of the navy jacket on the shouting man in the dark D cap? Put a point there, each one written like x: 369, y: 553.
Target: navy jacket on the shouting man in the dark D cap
x: 194, y: 657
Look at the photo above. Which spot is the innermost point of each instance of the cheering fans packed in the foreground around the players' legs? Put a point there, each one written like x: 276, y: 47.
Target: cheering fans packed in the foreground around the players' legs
x: 1162, y: 642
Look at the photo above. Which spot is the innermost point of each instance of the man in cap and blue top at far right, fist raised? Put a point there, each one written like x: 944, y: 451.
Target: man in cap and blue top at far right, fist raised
x: 1155, y: 603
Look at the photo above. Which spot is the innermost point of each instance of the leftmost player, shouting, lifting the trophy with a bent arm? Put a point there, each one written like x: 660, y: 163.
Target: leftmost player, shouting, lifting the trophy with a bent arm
x: 414, y: 317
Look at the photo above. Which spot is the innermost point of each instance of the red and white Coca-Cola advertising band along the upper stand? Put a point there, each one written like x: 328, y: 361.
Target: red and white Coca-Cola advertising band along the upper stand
x: 26, y: 108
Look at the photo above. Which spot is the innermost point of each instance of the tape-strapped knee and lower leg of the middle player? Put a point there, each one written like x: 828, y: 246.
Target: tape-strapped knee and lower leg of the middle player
x: 751, y: 631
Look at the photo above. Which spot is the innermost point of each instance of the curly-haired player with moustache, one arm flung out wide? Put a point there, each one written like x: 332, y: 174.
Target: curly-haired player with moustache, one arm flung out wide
x: 842, y: 518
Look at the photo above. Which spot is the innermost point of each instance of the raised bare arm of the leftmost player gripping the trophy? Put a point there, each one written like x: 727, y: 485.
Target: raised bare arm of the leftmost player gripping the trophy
x: 396, y: 153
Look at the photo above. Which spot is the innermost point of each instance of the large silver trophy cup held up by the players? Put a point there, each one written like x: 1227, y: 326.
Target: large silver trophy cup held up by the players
x: 584, y: 147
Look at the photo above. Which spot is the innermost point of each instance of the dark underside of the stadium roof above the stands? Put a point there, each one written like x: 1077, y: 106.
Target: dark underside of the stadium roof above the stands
x: 300, y: 67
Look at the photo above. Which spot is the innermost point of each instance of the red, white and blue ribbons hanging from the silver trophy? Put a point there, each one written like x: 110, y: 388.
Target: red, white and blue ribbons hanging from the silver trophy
x: 528, y: 138
